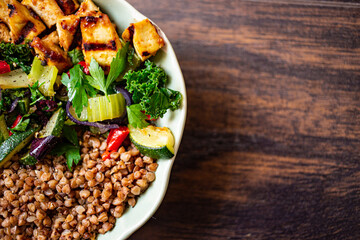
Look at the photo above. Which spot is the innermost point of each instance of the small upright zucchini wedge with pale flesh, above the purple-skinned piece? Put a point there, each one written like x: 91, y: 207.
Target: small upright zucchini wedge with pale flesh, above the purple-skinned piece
x: 55, y: 125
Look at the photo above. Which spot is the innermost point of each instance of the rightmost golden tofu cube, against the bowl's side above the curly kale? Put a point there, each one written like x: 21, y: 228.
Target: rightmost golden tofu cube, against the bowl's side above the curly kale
x: 145, y: 38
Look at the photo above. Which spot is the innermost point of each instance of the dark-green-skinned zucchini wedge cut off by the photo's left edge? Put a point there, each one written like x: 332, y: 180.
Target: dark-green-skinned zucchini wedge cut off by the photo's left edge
x: 14, y: 144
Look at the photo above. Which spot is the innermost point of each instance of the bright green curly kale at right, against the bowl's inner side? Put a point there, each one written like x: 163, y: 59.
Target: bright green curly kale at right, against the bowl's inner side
x: 148, y: 88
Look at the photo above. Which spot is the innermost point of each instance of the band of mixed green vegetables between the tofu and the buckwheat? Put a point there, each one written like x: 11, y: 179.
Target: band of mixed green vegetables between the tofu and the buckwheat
x: 42, y: 113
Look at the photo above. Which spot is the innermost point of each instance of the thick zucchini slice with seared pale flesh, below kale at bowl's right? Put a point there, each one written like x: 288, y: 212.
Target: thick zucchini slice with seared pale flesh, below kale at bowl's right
x: 154, y: 142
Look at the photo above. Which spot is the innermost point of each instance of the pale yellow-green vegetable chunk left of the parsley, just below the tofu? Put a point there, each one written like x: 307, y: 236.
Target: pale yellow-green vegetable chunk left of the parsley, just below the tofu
x: 46, y: 75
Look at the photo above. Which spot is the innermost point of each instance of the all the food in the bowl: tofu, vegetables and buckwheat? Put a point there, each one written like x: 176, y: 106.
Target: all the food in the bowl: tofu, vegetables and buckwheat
x: 79, y: 104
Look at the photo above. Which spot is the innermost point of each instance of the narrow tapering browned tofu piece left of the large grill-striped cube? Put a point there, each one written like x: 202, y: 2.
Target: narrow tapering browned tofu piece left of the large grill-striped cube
x: 67, y: 27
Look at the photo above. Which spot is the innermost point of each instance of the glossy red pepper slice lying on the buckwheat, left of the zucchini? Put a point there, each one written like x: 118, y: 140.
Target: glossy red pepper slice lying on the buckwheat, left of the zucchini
x: 115, y: 139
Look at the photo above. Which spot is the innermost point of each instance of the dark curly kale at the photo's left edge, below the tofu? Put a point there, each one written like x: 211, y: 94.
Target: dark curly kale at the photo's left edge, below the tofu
x: 17, y: 56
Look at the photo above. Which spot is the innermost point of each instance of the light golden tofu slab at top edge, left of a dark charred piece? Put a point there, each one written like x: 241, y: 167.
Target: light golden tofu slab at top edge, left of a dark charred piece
x: 48, y: 10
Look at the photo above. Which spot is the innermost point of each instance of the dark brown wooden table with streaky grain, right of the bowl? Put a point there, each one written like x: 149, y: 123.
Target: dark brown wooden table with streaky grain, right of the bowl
x: 271, y: 147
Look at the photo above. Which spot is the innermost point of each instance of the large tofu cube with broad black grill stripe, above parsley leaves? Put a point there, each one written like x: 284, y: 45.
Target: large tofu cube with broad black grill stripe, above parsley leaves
x: 99, y: 39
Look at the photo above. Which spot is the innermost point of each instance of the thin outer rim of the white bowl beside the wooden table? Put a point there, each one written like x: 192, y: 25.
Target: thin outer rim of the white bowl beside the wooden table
x: 169, y: 50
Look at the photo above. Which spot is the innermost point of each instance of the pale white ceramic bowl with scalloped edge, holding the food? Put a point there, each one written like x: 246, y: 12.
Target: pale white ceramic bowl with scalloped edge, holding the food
x: 122, y: 13
